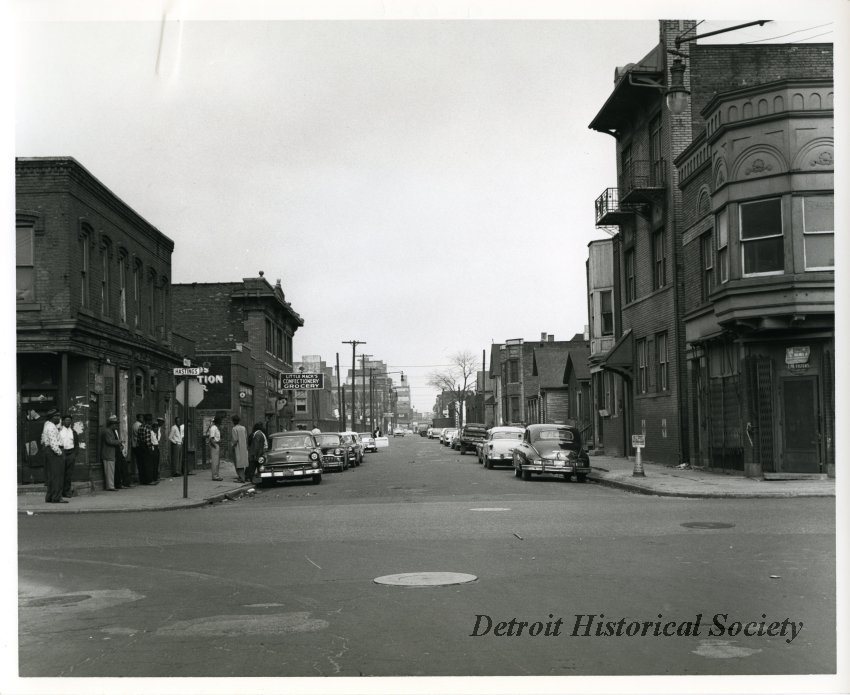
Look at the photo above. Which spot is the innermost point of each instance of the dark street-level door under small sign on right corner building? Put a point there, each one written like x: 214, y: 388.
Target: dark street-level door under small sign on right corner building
x: 800, y: 425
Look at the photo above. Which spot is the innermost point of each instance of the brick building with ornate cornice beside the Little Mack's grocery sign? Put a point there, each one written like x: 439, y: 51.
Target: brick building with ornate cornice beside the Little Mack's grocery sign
x: 243, y: 335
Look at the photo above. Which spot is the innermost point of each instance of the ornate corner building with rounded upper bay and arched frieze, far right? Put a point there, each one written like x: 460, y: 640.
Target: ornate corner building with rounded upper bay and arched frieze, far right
x: 758, y: 245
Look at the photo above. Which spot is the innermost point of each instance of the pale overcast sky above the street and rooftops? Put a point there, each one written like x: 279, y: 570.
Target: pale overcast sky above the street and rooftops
x: 424, y: 186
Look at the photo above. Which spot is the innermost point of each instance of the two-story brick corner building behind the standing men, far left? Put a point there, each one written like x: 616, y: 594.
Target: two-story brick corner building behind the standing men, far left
x: 94, y: 321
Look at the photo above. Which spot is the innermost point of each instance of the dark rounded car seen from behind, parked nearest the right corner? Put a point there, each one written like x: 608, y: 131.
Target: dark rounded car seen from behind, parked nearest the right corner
x: 553, y: 450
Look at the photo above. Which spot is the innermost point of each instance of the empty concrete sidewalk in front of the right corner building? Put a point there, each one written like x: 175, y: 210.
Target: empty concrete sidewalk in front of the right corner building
x: 675, y: 482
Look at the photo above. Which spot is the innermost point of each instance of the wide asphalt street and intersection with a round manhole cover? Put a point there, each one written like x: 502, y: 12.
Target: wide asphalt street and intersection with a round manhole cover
x: 282, y: 583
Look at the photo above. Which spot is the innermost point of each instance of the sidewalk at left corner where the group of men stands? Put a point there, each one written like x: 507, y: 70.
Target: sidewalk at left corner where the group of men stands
x: 168, y: 494
